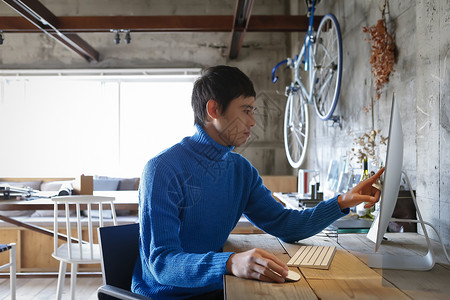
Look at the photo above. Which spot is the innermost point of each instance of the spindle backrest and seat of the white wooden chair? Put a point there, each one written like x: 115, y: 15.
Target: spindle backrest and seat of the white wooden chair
x: 78, y: 248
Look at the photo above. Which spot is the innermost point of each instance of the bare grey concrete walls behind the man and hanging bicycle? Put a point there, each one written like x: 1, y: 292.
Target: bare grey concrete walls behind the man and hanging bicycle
x: 421, y: 78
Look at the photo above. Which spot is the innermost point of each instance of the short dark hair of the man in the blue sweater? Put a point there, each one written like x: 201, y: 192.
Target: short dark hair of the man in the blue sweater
x: 222, y: 84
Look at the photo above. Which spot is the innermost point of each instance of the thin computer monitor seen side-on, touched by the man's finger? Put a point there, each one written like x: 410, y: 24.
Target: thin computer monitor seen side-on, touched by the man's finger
x: 392, y: 177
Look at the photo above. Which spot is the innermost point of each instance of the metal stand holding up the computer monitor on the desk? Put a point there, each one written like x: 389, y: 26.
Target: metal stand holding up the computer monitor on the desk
x: 406, y: 262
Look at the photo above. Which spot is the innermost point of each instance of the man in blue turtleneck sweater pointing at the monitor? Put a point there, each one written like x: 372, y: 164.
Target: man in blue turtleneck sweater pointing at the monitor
x: 193, y: 194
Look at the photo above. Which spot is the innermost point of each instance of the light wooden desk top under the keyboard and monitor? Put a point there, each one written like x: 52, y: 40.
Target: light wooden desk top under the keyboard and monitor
x: 349, y: 277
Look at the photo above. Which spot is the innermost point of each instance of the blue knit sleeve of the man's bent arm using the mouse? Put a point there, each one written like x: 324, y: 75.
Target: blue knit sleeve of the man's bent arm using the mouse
x: 161, y: 251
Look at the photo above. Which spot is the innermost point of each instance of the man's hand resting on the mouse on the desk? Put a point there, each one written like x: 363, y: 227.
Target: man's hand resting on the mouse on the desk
x: 257, y: 264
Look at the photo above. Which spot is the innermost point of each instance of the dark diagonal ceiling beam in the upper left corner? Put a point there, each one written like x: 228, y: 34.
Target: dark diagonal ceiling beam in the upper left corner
x: 38, y: 15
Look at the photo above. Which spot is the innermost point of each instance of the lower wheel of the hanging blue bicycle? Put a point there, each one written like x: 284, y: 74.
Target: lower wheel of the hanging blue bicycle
x: 296, y: 125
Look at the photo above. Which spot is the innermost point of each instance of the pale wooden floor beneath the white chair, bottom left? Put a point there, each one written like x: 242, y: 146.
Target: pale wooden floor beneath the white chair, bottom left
x: 32, y: 288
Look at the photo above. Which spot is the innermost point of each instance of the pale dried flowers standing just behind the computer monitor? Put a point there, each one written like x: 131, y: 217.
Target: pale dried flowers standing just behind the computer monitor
x: 365, y: 146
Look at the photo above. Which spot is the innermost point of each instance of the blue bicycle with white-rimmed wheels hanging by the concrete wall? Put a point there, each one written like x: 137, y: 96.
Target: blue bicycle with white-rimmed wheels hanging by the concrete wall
x: 321, y: 58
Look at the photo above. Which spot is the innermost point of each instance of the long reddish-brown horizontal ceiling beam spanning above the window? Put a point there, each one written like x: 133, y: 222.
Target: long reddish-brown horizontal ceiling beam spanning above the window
x: 219, y: 23
